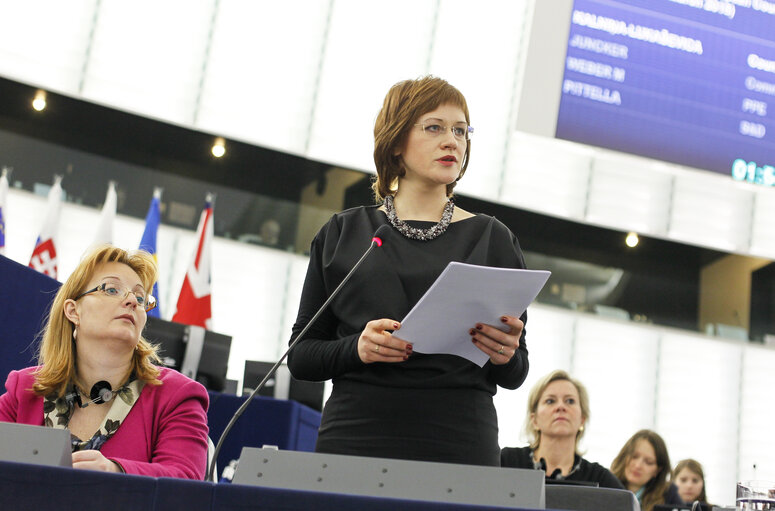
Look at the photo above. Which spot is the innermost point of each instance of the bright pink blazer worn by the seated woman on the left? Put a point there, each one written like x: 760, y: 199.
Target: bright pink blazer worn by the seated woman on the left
x: 164, y: 435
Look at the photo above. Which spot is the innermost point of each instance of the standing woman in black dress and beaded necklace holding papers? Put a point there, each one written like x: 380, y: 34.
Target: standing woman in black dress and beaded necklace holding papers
x: 387, y: 400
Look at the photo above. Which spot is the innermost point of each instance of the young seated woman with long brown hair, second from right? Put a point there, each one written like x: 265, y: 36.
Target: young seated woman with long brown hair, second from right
x: 643, y: 466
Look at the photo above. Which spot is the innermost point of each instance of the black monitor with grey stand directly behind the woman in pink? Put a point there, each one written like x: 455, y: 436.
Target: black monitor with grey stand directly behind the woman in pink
x: 174, y: 340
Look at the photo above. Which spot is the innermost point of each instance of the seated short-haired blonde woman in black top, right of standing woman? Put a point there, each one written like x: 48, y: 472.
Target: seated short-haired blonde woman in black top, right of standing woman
x: 557, y: 409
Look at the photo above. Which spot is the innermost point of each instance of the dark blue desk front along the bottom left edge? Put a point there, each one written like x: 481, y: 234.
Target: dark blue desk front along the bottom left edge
x: 32, y: 487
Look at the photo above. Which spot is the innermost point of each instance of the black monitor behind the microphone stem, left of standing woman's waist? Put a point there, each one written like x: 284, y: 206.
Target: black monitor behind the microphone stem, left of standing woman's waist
x: 282, y: 385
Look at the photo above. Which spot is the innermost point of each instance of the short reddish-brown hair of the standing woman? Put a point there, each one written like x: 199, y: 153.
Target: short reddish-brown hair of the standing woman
x: 404, y: 103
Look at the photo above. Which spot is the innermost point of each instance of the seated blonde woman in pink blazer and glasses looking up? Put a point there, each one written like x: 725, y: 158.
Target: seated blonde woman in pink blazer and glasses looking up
x: 96, y: 376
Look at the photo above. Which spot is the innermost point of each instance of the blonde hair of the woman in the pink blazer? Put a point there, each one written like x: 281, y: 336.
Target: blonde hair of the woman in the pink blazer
x: 56, y: 354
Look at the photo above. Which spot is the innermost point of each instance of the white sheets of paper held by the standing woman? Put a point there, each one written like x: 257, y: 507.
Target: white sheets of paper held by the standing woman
x: 462, y: 296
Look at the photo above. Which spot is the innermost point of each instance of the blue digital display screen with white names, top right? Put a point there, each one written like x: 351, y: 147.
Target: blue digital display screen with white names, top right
x: 686, y: 81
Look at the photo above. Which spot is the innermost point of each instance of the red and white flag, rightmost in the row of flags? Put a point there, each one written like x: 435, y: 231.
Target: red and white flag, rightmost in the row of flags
x: 193, y: 306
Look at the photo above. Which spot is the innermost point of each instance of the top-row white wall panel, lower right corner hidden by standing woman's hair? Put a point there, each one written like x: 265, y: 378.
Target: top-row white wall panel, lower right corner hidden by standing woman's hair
x: 370, y: 46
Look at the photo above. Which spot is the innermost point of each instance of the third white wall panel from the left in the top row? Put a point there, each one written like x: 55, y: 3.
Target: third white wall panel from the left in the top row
x: 261, y: 72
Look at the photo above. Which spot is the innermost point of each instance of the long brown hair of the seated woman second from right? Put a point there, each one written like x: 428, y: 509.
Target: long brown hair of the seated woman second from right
x: 654, y: 490
